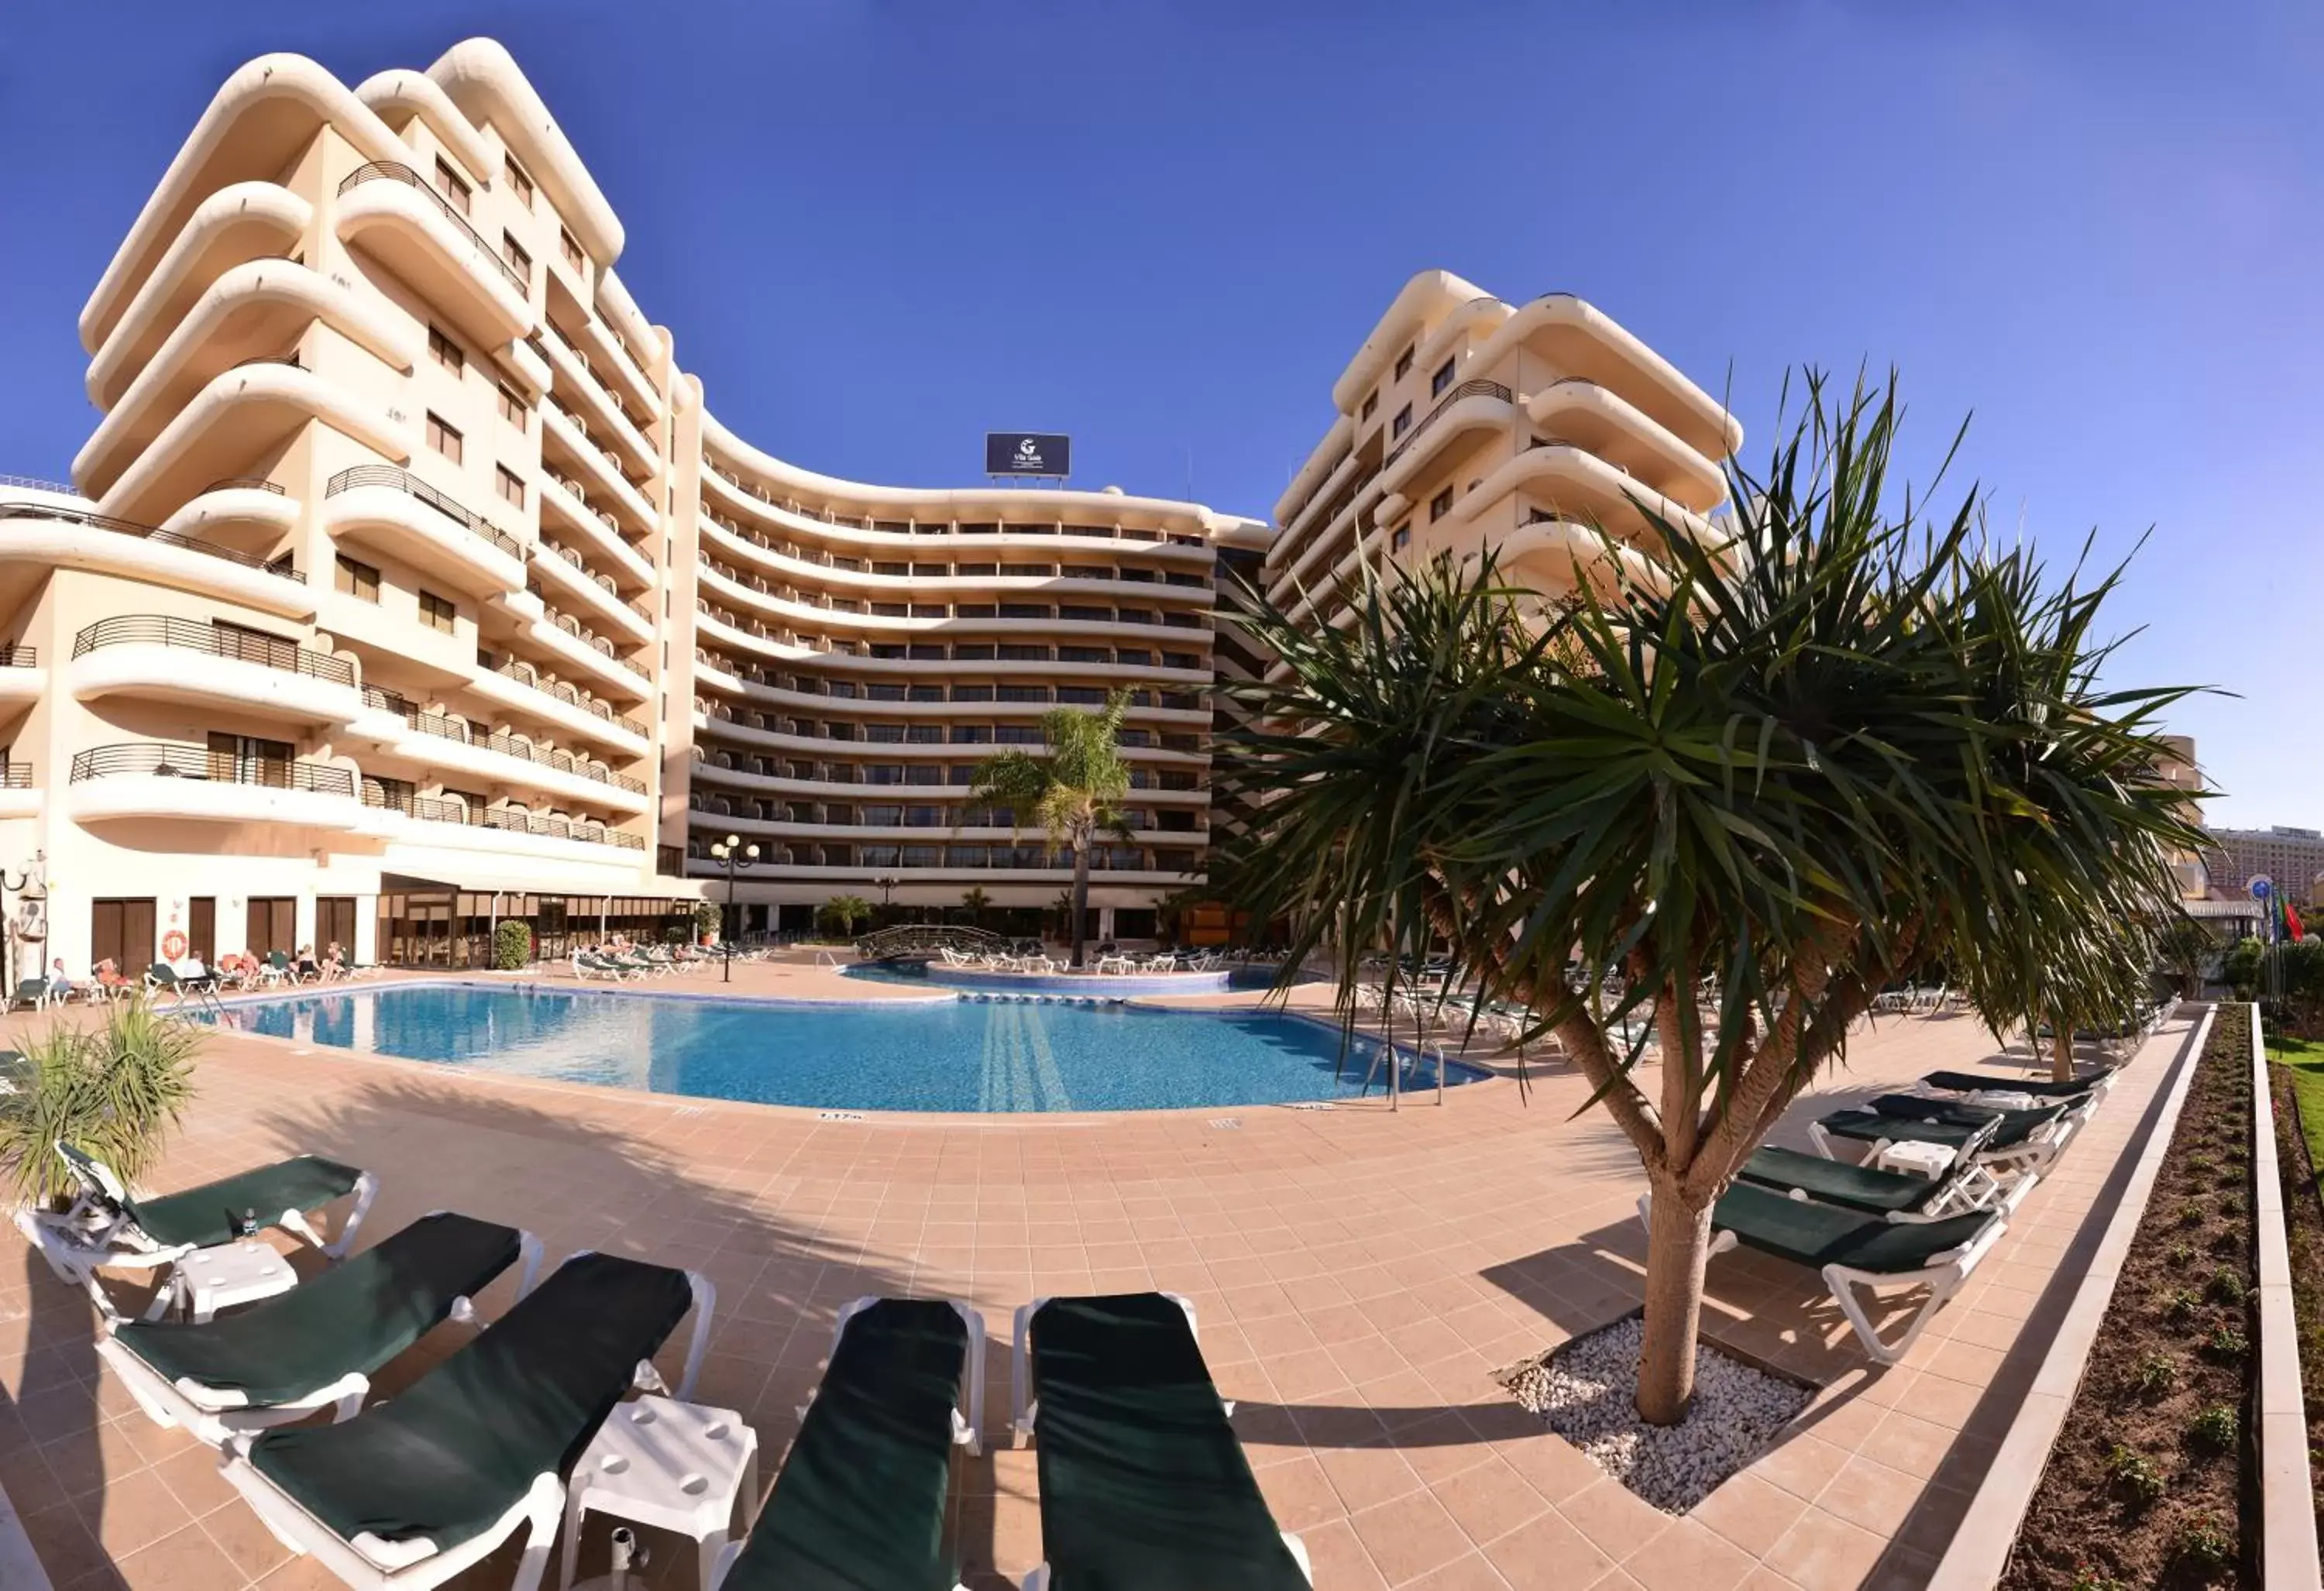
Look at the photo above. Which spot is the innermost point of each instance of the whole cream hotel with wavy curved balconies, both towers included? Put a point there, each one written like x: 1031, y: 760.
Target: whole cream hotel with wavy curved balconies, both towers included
x: 408, y: 582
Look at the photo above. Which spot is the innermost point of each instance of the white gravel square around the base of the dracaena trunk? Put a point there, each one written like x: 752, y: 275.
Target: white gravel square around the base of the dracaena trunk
x: 1586, y: 1392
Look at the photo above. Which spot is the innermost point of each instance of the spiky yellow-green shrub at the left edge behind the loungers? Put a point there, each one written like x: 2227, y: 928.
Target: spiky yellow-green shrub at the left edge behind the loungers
x: 115, y: 1090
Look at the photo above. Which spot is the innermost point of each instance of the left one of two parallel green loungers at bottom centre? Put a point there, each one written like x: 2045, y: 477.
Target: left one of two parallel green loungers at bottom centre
x: 861, y: 1504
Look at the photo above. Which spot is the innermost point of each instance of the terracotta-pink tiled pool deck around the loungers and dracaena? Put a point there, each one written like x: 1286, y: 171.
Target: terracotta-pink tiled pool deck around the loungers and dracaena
x: 1361, y: 1279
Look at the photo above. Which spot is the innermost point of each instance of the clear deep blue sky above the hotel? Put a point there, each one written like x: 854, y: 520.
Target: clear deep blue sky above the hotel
x: 884, y: 229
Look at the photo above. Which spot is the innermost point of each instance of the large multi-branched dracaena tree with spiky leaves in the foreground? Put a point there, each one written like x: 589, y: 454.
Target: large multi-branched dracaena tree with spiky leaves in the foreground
x: 1698, y: 823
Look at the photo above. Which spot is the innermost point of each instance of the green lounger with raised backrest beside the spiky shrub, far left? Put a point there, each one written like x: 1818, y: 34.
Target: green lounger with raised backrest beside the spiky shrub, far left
x: 108, y: 1230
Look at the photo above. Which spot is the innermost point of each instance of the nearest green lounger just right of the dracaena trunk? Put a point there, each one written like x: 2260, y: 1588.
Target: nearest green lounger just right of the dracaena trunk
x: 1858, y: 1251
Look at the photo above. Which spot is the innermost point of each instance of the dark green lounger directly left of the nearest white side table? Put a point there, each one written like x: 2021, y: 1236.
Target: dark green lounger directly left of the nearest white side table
x: 426, y: 1485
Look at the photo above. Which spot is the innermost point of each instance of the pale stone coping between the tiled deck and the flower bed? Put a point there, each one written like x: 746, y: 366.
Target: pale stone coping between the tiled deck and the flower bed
x: 1981, y: 1548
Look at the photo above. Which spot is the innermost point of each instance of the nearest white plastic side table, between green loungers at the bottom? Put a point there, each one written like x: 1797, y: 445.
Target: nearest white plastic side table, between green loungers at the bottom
x: 668, y: 1464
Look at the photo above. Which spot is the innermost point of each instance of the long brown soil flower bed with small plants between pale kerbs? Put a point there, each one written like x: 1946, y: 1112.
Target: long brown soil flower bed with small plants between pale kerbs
x: 2153, y: 1474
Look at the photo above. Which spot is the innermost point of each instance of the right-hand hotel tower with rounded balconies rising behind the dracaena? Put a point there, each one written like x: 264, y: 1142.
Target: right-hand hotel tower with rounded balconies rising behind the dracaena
x: 1465, y: 424
